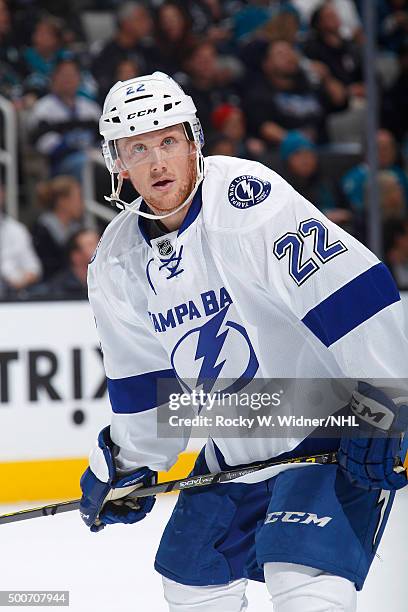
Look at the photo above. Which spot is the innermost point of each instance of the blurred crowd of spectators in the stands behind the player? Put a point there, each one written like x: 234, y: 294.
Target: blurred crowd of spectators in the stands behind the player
x: 277, y: 81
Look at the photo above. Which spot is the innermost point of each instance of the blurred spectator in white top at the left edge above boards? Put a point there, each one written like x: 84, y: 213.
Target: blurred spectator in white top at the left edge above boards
x: 19, y: 264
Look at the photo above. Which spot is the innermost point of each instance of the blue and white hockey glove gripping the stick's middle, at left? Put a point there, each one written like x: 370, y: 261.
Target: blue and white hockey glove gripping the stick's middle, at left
x: 104, y: 499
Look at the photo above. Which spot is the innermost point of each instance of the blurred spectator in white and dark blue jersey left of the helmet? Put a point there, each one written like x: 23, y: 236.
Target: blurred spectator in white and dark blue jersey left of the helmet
x: 64, y: 125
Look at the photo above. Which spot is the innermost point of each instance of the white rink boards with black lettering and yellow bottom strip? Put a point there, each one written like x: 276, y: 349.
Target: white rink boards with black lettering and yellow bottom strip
x: 53, y: 400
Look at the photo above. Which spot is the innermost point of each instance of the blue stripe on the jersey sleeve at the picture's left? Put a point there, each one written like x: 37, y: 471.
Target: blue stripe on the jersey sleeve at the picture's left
x: 139, y: 393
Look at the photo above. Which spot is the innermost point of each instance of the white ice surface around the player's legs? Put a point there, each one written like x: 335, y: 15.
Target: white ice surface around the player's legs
x: 112, y: 571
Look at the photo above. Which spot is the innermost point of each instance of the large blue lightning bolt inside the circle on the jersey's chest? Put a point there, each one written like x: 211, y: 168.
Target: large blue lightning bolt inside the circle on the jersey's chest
x: 209, y: 347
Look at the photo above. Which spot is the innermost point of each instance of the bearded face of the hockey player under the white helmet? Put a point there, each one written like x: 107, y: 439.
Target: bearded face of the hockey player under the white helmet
x: 161, y: 166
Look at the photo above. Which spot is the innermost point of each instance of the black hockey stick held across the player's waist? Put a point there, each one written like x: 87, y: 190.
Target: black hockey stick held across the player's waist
x: 191, y: 482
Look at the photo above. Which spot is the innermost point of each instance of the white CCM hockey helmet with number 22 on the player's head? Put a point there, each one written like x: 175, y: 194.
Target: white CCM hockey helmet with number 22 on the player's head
x: 145, y: 104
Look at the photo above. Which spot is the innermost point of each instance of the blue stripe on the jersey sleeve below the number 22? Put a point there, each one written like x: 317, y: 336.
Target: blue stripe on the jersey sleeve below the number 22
x: 352, y: 304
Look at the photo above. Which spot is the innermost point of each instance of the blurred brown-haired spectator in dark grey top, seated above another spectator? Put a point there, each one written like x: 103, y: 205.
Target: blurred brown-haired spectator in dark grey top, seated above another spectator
x: 61, y: 197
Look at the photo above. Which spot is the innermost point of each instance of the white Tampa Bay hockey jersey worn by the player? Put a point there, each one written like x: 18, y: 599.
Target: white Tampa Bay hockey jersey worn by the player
x: 256, y: 283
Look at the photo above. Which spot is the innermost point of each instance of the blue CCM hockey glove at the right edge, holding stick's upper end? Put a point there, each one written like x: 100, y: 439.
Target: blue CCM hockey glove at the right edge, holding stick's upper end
x: 368, y: 458
